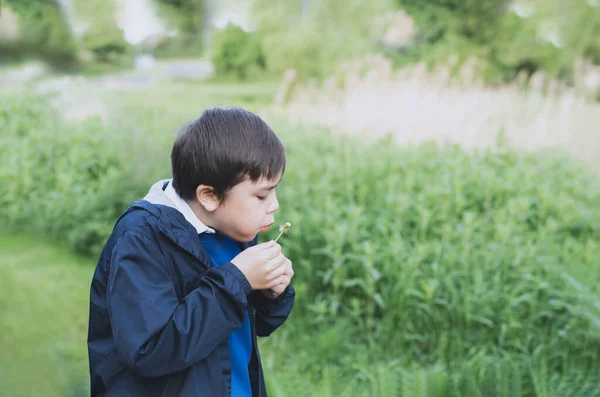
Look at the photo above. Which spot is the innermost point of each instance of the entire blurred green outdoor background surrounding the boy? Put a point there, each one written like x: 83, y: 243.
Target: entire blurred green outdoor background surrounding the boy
x: 442, y: 181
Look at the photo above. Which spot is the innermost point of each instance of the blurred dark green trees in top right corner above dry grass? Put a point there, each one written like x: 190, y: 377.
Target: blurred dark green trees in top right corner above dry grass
x: 492, y: 31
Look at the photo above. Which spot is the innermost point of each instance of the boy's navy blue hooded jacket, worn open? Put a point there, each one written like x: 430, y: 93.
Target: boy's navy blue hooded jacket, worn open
x: 160, y: 313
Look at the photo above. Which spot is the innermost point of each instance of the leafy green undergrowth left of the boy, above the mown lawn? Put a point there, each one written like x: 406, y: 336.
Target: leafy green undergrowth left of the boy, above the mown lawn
x: 59, y: 179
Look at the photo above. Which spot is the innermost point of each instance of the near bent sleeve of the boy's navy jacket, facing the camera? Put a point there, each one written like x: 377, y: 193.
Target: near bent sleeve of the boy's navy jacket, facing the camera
x: 156, y: 333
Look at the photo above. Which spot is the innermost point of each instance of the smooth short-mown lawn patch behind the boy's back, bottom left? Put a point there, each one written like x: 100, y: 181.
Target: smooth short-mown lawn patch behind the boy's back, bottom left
x: 43, y: 327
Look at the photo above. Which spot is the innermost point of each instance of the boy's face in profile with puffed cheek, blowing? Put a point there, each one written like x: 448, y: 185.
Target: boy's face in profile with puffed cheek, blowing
x: 247, y: 209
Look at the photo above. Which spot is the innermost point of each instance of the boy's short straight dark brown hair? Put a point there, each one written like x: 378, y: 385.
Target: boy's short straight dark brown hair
x: 223, y: 147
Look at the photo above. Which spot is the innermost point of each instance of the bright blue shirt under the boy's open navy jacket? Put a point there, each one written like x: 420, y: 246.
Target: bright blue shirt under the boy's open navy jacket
x: 223, y: 249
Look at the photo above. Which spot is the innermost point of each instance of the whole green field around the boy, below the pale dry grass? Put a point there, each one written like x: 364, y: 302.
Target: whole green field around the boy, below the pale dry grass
x: 421, y: 271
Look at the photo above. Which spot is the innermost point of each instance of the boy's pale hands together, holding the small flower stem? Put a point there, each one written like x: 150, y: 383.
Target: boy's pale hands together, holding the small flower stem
x: 263, y: 265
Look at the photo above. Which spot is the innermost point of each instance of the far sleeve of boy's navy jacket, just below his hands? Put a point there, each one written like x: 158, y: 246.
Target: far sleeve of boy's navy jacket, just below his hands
x: 272, y: 313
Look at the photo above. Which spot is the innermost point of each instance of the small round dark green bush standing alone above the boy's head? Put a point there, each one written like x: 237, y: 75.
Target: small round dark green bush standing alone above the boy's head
x: 236, y: 53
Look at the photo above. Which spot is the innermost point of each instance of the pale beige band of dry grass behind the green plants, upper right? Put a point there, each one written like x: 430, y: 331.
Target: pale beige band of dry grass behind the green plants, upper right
x: 413, y: 105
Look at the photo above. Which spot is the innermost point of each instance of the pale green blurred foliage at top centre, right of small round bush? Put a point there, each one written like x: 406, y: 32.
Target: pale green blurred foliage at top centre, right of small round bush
x: 314, y: 40
